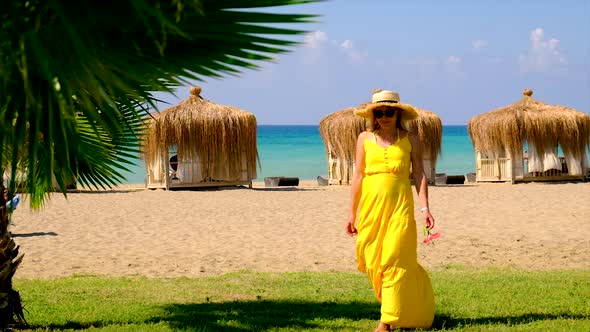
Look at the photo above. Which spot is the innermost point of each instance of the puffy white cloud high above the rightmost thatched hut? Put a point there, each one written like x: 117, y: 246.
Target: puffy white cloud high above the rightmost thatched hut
x: 543, y: 54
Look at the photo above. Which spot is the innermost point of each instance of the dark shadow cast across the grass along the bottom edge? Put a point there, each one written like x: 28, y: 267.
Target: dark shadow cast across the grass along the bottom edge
x: 269, y: 315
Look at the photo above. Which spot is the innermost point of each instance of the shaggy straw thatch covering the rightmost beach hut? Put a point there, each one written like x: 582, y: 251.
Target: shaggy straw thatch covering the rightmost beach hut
x: 543, y: 127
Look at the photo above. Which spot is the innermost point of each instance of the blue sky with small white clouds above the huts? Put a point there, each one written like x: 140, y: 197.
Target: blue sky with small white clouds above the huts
x: 457, y: 58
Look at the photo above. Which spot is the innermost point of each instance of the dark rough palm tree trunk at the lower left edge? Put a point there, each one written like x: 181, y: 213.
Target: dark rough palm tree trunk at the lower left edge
x: 11, y: 310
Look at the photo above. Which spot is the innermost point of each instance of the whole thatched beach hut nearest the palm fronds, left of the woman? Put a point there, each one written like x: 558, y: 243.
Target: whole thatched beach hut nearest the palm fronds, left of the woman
x: 198, y: 143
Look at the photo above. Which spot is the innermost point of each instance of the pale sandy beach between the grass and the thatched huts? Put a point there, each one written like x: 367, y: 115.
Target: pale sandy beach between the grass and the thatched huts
x: 206, y: 232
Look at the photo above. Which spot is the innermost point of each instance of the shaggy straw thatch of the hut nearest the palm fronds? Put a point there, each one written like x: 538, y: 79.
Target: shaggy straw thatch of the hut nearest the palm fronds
x: 220, y: 139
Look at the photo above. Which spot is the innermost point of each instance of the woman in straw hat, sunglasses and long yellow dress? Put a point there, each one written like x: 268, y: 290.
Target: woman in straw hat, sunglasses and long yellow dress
x: 386, y: 246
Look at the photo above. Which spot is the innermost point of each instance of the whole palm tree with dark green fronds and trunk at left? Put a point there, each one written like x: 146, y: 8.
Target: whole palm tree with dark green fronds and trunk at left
x: 77, y: 79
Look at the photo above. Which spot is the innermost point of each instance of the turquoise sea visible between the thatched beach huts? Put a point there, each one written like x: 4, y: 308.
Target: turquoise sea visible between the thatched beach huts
x: 298, y: 151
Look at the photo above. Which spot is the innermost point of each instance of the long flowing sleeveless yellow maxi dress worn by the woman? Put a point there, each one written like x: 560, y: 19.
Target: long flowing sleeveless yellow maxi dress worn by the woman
x: 386, y: 246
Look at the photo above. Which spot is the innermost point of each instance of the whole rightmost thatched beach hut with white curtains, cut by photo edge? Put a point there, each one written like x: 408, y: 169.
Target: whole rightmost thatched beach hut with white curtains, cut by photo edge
x: 521, y: 142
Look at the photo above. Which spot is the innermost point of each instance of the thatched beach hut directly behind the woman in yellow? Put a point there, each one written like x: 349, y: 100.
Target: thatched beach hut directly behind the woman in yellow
x: 339, y: 131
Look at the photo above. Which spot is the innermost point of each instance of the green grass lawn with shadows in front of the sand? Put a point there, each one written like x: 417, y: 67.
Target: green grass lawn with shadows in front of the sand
x: 466, y: 300
